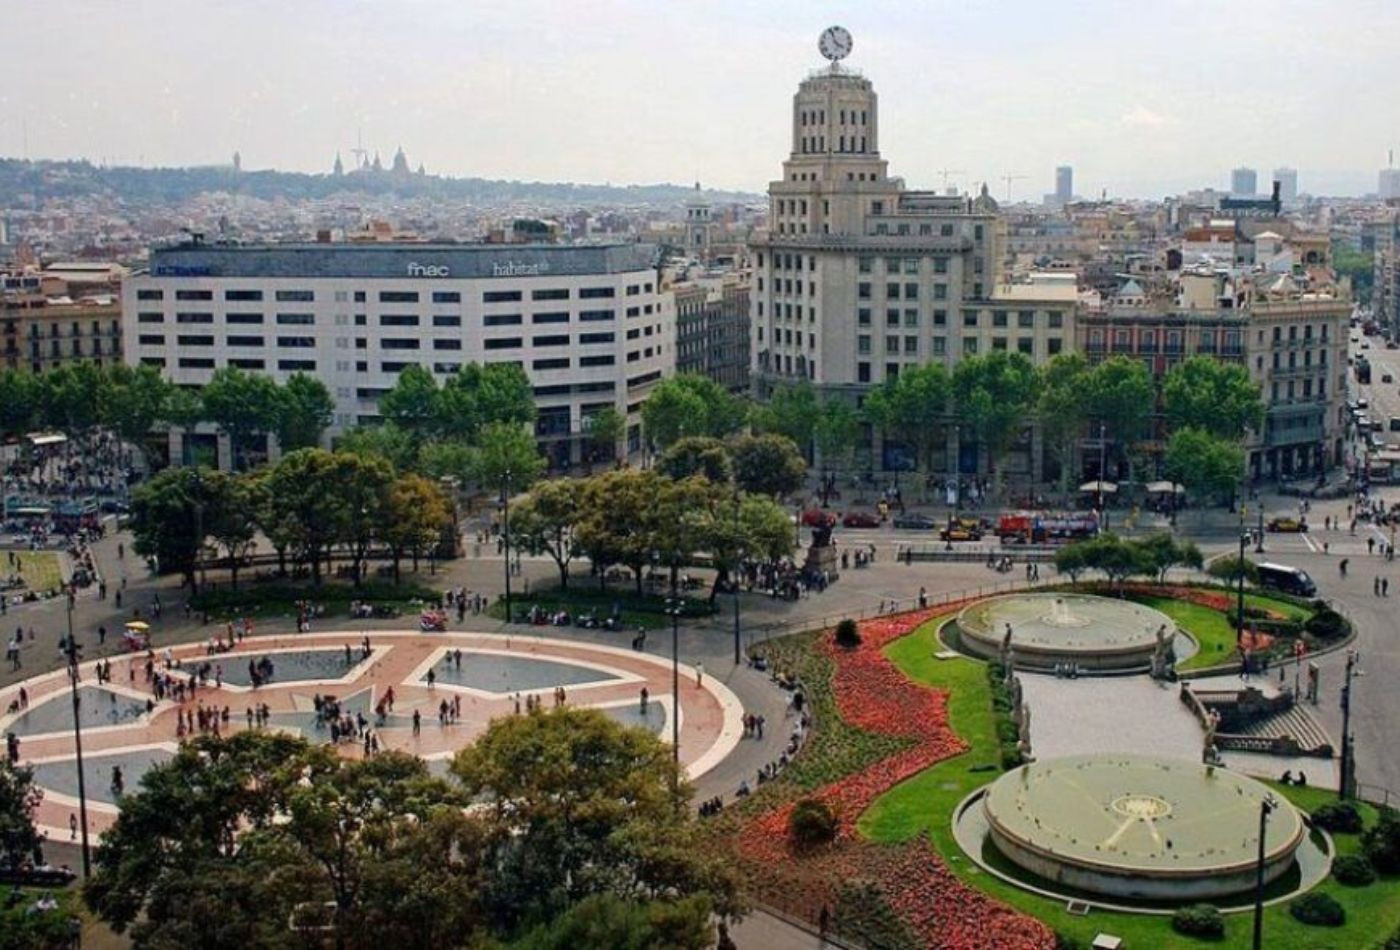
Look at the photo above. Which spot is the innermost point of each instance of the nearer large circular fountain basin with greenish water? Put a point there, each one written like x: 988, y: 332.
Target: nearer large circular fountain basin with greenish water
x: 1135, y: 828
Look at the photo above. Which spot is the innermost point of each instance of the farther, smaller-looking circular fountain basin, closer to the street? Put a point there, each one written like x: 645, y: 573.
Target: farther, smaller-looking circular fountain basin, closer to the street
x: 1039, y: 632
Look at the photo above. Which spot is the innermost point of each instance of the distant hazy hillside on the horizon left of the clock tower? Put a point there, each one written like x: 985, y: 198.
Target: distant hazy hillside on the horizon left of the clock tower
x: 29, y: 181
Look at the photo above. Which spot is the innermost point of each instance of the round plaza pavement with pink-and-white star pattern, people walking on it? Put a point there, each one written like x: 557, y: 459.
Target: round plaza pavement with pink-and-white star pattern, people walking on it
x: 125, y: 727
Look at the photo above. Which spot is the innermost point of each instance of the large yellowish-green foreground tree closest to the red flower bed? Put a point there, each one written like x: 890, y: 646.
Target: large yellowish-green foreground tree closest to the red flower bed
x: 577, y: 807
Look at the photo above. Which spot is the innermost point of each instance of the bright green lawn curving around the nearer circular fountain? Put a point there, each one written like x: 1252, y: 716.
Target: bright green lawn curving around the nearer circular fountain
x: 925, y: 805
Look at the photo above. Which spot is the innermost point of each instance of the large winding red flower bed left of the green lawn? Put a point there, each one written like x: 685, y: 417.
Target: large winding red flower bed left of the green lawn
x: 874, y: 696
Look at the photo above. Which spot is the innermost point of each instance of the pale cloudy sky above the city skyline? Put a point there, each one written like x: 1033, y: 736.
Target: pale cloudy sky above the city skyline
x: 1142, y: 97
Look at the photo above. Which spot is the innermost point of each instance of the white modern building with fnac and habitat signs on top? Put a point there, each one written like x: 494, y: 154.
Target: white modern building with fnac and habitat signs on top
x: 586, y: 322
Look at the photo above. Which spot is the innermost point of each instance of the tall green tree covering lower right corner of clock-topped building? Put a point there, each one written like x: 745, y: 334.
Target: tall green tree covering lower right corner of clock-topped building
x: 993, y: 395
